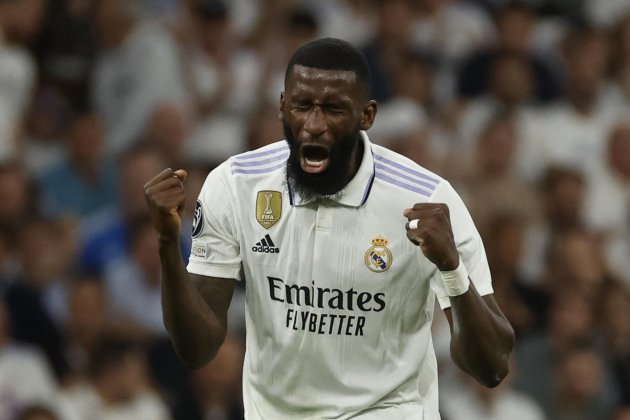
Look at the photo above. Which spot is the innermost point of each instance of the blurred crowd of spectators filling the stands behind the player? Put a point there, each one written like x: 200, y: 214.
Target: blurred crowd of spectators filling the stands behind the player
x: 523, y: 106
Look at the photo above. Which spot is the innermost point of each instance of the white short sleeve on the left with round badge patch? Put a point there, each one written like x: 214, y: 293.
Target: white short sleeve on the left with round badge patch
x: 215, y: 249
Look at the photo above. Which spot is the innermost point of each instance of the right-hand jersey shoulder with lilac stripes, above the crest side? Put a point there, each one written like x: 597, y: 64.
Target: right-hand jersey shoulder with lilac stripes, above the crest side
x: 402, y: 172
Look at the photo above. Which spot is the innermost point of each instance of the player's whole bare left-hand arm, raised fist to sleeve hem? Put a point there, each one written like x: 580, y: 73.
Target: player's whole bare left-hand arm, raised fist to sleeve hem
x: 194, y: 307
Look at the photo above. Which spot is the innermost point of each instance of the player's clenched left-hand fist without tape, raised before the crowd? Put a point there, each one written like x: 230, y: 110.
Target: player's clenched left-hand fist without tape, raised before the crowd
x: 165, y: 198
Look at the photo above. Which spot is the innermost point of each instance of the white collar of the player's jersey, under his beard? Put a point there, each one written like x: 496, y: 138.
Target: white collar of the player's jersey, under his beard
x: 356, y: 193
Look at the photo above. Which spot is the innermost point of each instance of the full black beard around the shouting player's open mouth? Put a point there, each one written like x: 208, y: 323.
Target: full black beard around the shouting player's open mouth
x: 329, y: 183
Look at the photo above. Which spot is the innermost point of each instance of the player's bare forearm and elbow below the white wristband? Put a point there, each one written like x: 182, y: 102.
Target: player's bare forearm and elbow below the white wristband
x: 482, y: 338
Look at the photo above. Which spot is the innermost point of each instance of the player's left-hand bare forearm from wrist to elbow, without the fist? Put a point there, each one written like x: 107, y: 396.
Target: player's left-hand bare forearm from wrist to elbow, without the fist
x: 196, y: 331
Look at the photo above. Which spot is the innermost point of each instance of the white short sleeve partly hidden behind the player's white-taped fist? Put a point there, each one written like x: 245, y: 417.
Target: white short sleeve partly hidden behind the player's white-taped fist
x: 468, y: 242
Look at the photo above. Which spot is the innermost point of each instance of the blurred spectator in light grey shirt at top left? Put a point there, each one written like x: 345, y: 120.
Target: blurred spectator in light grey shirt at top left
x: 137, y: 69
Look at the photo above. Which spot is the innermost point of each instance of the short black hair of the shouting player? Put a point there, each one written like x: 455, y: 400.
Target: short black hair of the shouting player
x: 331, y: 54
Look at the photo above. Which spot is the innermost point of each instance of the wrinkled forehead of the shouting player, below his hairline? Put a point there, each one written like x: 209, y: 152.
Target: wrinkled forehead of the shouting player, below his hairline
x: 320, y: 82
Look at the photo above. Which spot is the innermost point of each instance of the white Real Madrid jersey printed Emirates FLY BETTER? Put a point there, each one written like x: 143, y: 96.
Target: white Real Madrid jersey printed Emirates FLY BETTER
x: 339, y: 301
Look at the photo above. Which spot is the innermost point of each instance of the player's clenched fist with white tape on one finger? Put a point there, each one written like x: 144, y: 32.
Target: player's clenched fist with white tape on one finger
x: 434, y: 234
